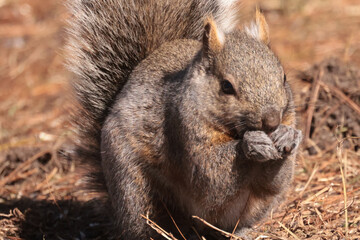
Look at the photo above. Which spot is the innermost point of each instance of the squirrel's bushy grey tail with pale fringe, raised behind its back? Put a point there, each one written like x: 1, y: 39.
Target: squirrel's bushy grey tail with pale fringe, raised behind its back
x: 108, y: 39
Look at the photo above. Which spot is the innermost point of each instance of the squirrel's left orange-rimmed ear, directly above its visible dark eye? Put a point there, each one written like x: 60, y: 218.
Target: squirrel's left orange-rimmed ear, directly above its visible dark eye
x: 213, y: 39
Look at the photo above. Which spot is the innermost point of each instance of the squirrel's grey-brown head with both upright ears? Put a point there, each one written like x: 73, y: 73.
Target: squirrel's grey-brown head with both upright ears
x: 241, y: 81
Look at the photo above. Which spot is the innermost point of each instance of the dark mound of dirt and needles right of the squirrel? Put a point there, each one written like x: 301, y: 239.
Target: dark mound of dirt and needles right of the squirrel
x: 333, y: 100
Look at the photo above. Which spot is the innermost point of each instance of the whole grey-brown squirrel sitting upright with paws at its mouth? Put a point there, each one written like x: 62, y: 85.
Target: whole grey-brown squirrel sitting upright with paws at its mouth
x: 181, y: 112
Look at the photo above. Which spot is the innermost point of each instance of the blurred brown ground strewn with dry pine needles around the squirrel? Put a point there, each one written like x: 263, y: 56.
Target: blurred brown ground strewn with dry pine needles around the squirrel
x: 40, y: 194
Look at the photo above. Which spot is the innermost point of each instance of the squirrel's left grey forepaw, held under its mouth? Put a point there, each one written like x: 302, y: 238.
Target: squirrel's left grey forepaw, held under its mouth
x: 257, y: 146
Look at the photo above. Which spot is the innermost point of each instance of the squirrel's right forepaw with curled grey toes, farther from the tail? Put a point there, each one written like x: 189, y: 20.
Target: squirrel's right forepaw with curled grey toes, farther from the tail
x: 286, y: 139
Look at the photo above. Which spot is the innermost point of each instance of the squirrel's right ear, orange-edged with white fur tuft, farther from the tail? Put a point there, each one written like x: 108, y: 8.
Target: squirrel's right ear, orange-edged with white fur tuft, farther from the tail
x: 259, y: 29
